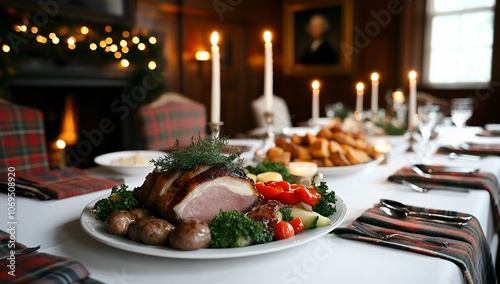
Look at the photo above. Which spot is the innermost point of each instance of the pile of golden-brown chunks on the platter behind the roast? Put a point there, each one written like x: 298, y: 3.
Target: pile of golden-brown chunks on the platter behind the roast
x: 330, y: 147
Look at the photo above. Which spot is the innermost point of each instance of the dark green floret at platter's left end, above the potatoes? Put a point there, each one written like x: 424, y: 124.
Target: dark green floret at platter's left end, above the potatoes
x: 119, y: 199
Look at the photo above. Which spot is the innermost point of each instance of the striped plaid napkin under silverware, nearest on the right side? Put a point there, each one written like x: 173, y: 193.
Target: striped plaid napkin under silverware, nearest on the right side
x: 467, y: 246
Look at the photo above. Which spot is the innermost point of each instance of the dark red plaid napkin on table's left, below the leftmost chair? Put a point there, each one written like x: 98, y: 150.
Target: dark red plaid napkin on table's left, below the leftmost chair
x: 58, y: 184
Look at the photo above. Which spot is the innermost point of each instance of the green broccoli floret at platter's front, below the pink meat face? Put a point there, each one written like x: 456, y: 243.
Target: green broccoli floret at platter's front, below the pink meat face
x: 232, y: 229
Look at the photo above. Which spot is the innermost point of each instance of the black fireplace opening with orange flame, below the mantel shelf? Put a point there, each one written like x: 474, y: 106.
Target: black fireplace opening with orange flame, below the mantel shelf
x: 84, y: 117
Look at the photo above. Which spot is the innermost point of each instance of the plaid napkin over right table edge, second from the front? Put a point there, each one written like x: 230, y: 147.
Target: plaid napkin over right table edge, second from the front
x: 486, y: 181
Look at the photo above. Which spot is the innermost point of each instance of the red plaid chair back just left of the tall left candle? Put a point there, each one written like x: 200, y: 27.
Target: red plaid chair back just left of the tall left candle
x: 170, y: 117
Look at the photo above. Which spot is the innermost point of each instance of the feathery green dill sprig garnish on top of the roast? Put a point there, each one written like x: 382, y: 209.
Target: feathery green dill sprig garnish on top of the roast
x: 208, y: 152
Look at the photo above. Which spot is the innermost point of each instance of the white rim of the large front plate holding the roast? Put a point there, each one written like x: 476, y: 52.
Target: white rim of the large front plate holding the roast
x: 96, y: 230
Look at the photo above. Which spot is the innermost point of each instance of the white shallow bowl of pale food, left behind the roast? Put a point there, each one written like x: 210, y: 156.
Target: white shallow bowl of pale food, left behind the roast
x: 137, y: 169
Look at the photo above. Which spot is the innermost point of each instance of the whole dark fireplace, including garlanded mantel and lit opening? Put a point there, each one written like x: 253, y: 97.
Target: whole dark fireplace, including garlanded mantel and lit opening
x: 86, y: 72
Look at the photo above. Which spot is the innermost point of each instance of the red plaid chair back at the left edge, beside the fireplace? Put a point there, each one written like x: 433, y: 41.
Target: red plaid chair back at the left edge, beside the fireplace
x: 22, y: 139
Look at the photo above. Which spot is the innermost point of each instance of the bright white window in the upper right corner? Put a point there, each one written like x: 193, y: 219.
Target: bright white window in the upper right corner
x: 459, y: 42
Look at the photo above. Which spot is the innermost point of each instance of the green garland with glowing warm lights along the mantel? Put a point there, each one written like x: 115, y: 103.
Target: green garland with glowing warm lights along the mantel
x: 21, y: 40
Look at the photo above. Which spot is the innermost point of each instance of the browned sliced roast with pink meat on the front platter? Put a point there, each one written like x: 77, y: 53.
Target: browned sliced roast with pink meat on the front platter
x: 196, y: 194
